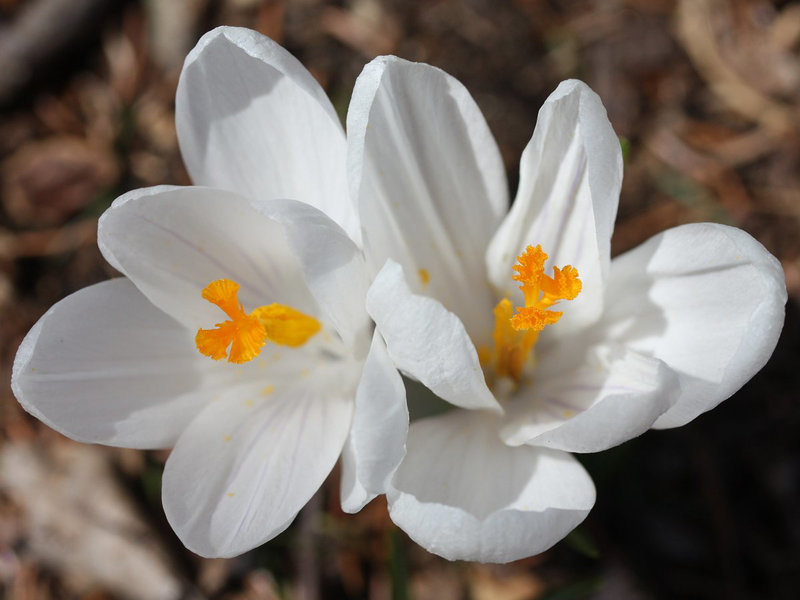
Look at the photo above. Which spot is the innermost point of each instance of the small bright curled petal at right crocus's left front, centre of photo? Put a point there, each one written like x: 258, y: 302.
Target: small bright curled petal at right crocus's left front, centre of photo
x: 427, y: 341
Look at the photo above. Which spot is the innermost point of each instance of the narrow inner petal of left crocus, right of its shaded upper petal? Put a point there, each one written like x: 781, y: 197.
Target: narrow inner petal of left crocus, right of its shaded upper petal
x: 333, y: 267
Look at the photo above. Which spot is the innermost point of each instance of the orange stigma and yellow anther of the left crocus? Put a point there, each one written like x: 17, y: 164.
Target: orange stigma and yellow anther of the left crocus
x: 245, y: 333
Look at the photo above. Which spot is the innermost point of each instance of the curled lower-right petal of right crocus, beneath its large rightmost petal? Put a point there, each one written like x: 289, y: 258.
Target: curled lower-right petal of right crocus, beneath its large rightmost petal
x: 616, y: 395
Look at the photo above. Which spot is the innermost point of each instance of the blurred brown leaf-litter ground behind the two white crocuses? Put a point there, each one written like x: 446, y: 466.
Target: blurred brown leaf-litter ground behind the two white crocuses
x: 704, y: 93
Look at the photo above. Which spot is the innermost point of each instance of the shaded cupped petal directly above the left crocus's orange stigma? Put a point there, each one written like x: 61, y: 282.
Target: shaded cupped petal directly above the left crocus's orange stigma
x: 173, y: 241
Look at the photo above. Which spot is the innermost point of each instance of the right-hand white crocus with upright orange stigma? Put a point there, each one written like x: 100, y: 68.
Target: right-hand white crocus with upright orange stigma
x: 651, y: 339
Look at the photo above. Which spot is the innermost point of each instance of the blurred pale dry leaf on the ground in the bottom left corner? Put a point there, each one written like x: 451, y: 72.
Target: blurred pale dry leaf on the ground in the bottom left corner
x: 81, y: 523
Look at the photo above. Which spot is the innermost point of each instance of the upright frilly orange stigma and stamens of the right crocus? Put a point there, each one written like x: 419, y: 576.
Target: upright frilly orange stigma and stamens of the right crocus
x: 515, y: 334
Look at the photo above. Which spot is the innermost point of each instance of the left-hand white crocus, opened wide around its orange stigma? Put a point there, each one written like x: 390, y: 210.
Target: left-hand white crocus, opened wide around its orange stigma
x: 272, y: 289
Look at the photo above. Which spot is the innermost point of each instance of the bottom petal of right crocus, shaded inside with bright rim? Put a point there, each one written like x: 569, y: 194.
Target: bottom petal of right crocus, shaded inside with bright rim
x: 463, y: 494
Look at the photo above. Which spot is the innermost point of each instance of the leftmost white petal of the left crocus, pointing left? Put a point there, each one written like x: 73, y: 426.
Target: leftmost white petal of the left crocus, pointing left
x: 104, y: 365
